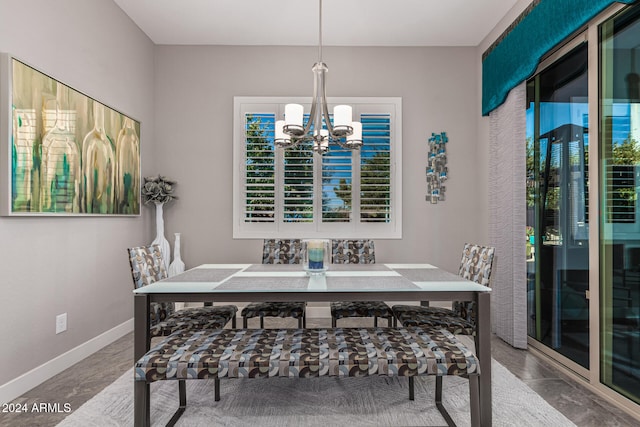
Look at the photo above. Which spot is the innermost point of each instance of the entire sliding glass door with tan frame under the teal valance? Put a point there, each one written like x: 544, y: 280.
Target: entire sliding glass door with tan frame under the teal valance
x: 583, y: 226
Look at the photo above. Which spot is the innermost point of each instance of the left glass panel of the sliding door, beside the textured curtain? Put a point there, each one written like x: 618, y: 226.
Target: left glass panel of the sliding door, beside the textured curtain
x: 557, y: 202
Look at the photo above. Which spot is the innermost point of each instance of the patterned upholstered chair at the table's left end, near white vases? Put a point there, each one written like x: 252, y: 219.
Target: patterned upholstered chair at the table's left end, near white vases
x: 147, y: 267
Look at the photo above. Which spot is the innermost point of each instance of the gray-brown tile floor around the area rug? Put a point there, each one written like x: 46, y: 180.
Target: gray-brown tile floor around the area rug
x: 79, y: 383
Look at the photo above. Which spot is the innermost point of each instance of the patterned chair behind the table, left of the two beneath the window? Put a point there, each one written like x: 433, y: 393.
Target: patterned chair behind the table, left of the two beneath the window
x: 282, y: 251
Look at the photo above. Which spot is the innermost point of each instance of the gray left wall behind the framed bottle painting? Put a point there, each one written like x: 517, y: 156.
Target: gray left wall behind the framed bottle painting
x: 73, y: 265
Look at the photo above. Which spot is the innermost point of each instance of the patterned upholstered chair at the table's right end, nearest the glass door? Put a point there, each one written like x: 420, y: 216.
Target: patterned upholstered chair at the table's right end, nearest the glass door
x: 476, y: 265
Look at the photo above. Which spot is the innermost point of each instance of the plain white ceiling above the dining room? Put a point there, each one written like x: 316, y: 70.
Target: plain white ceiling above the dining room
x: 295, y: 22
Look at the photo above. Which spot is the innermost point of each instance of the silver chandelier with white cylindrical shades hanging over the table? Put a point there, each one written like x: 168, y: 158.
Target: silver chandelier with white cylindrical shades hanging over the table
x: 343, y: 131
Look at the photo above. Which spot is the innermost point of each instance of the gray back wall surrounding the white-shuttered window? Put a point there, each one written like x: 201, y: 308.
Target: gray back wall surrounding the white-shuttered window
x: 195, y: 87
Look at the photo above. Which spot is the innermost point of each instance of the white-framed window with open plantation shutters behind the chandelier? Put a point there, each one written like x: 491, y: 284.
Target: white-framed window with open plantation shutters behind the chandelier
x: 294, y: 192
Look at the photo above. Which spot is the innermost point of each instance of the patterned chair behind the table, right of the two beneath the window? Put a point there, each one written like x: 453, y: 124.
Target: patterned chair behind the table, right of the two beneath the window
x: 357, y: 252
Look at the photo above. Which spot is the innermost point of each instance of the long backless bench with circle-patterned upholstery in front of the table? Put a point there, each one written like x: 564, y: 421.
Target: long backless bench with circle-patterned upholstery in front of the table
x: 340, y: 352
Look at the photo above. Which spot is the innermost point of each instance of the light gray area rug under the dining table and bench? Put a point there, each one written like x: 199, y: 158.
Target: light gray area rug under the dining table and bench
x: 326, y: 401
